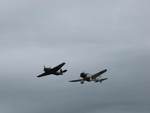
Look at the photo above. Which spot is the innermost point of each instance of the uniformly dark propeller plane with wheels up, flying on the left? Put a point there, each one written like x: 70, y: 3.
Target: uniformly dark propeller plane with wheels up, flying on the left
x: 55, y: 71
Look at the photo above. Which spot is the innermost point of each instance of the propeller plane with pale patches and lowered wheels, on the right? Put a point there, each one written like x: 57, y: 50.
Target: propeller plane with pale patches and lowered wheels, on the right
x: 88, y: 77
